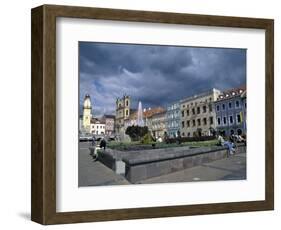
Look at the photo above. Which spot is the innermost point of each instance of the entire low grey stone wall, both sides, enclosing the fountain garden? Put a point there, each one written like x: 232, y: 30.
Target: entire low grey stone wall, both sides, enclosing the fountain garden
x: 144, y: 164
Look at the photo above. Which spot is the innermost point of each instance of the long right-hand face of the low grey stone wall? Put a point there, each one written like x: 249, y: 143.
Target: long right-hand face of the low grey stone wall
x: 143, y: 166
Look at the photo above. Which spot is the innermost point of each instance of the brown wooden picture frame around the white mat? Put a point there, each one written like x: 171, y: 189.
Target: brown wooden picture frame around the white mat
x: 43, y: 208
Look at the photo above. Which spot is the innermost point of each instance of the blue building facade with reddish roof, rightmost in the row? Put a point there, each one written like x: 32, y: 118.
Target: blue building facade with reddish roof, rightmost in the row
x: 231, y: 112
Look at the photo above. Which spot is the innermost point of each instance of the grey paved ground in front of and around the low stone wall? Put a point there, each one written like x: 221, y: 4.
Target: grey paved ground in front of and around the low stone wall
x: 94, y: 173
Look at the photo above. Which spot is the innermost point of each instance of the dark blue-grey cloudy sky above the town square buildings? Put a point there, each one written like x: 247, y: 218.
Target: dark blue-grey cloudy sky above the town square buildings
x: 155, y: 75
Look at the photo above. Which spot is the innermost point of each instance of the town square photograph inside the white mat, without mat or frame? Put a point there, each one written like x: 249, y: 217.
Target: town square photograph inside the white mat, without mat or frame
x: 152, y: 113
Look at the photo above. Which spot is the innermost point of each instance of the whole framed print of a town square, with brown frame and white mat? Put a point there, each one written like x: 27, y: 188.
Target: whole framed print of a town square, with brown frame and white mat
x: 141, y: 114
